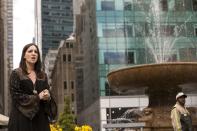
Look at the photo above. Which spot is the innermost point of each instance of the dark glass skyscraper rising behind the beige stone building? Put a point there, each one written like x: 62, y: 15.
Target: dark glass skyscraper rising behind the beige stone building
x: 54, y: 24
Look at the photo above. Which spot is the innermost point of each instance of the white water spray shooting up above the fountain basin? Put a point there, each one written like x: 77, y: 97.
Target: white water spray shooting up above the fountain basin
x: 161, y: 36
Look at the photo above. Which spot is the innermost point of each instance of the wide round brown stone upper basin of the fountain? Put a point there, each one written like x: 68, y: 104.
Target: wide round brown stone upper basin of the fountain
x: 175, y: 73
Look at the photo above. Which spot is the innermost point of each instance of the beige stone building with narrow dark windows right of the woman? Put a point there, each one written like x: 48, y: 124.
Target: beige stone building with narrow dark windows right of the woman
x: 66, y: 70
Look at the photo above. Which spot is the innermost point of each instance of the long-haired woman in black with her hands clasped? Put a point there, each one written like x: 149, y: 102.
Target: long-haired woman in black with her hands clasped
x: 30, y: 94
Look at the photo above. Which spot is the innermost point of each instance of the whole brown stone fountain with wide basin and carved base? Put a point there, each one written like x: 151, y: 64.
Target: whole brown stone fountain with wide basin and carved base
x: 161, y: 83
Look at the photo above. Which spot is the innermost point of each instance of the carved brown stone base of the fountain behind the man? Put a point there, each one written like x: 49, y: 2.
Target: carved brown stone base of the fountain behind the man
x: 158, y: 118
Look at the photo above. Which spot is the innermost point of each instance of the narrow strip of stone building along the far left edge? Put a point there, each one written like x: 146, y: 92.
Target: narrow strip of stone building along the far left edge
x: 3, y: 58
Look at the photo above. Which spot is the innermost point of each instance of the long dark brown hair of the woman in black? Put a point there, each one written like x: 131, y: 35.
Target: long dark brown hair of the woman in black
x: 38, y: 64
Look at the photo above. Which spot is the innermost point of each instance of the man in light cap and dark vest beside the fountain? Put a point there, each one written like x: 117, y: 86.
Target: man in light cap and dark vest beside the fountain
x: 181, y: 118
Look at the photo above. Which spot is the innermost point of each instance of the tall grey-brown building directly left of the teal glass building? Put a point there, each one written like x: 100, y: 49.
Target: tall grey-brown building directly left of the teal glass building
x: 86, y: 36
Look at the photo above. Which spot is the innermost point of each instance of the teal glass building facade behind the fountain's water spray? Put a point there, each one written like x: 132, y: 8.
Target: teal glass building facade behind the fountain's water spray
x: 132, y: 32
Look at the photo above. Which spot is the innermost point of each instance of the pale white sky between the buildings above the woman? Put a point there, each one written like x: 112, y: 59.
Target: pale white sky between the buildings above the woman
x: 23, y: 27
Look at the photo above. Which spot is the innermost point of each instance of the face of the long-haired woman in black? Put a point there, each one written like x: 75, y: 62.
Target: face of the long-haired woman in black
x: 31, y: 55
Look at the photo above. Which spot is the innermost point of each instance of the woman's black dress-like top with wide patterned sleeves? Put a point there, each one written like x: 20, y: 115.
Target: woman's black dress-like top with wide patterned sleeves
x: 28, y: 112
